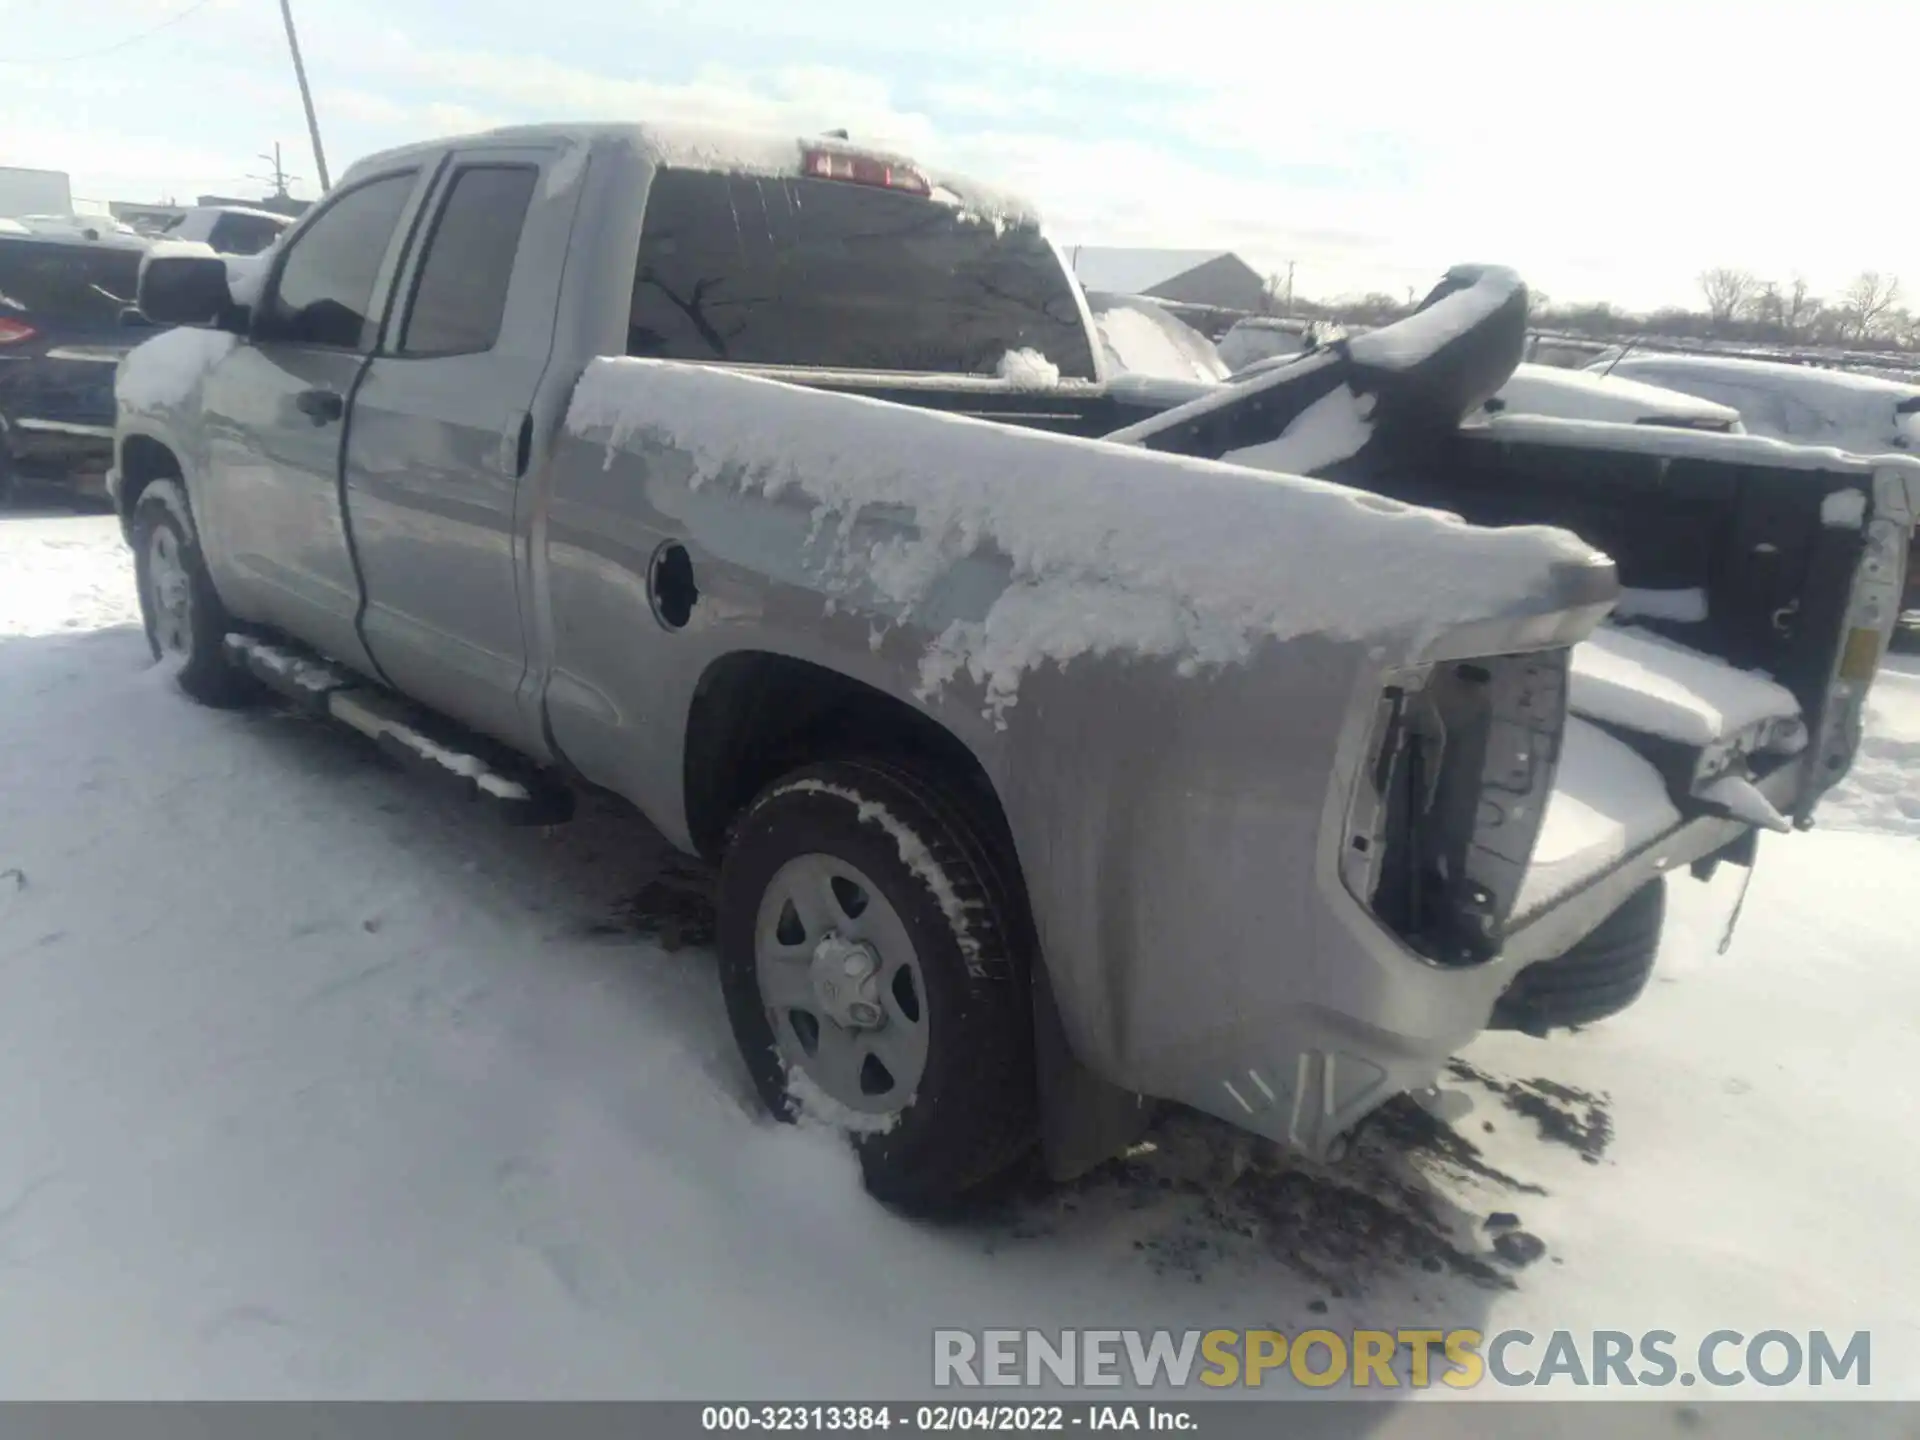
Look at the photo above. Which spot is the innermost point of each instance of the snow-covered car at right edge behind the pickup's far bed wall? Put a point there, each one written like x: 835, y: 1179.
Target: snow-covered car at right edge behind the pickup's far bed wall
x: 1808, y: 404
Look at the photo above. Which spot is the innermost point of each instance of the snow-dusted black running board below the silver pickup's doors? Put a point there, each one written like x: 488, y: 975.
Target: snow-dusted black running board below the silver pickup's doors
x: 418, y: 740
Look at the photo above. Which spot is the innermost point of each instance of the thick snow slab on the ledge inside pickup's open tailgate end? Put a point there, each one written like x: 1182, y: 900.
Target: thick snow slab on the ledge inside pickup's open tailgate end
x: 1643, y: 683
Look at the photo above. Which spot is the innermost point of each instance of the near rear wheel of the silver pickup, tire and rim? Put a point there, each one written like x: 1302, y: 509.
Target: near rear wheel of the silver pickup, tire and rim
x: 875, y: 976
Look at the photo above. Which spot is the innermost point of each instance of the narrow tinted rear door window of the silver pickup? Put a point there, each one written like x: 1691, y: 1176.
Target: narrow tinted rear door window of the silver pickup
x: 469, y: 262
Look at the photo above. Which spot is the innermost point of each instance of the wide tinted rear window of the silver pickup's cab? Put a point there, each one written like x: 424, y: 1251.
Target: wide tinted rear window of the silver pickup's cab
x: 786, y: 272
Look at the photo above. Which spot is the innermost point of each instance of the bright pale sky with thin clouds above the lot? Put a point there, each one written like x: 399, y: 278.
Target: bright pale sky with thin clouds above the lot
x: 1608, y: 151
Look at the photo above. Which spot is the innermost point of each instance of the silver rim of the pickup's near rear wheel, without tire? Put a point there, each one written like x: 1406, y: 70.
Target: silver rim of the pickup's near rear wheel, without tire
x: 823, y: 923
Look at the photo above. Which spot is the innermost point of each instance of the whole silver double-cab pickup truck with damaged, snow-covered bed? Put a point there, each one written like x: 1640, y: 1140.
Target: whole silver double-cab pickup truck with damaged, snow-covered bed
x: 1063, y: 748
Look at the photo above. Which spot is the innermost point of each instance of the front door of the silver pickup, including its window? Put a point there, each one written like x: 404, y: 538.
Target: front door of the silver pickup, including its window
x: 276, y: 420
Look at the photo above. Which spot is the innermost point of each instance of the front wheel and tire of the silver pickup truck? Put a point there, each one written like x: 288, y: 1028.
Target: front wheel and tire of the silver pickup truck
x: 185, y: 621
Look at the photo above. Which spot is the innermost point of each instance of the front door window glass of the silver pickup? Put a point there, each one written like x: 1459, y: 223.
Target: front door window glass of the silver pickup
x: 325, y: 289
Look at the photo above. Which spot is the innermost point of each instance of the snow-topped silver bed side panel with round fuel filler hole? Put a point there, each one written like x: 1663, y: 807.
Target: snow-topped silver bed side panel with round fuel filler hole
x: 1168, y: 767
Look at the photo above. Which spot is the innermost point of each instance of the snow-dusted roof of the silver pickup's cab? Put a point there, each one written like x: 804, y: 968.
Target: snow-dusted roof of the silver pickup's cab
x: 744, y: 153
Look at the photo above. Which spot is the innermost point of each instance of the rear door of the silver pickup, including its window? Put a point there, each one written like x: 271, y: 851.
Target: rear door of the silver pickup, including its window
x: 446, y: 425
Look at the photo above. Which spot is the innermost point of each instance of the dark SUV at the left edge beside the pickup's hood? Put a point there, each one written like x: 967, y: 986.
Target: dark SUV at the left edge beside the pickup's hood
x: 60, y: 343
